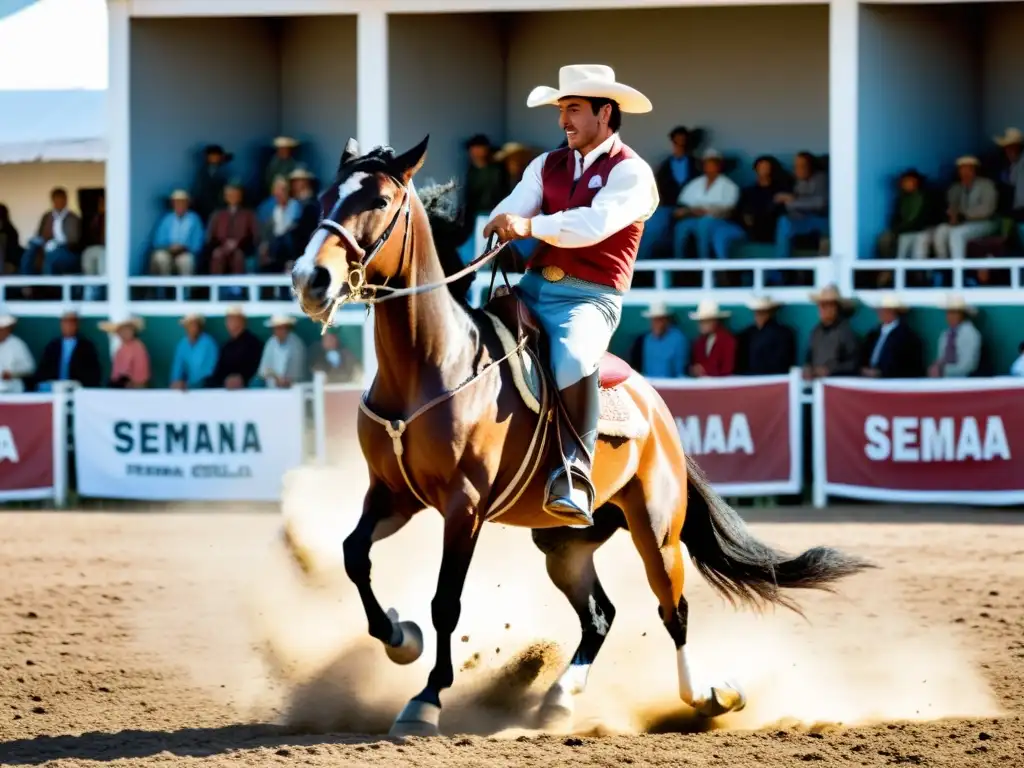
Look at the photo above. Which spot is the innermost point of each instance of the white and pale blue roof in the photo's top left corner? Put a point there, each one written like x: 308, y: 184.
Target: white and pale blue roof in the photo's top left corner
x: 54, y: 74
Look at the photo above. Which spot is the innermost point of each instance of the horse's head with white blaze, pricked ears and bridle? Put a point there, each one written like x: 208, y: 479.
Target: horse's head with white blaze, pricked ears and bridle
x: 366, y: 218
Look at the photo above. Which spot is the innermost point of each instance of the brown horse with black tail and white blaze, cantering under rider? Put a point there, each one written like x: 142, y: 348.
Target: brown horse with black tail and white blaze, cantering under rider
x: 452, y: 422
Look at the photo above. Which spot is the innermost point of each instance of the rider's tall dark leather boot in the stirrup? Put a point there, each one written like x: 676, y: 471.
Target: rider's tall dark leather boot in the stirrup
x: 570, y: 493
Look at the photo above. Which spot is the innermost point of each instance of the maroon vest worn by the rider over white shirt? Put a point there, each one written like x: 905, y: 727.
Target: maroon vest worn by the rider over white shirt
x: 609, y: 263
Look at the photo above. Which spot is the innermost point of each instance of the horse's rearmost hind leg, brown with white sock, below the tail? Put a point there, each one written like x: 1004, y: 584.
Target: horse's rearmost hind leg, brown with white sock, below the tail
x: 657, y: 533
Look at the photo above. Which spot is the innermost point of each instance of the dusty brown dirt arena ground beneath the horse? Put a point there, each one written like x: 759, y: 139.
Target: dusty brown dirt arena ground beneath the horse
x: 185, y: 638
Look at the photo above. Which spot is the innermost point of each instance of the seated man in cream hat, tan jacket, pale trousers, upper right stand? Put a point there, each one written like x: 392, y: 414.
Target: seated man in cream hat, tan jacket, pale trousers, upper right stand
x: 972, y: 205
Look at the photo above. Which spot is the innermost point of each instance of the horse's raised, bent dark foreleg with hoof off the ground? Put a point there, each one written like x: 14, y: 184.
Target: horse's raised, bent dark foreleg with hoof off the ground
x: 383, y: 515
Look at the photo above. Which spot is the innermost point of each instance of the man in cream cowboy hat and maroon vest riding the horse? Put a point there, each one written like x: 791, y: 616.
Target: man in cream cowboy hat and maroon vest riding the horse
x: 585, y: 204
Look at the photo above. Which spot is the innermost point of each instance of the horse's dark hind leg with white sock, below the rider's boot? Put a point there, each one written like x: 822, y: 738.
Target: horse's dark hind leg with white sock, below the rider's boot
x: 571, y: 565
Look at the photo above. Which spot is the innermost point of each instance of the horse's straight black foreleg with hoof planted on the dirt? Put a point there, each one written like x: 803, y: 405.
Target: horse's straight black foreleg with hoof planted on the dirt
x: 422, y: 715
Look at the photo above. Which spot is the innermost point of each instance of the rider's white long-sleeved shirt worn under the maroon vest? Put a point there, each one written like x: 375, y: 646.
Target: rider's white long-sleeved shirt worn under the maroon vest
x: 628, y: 195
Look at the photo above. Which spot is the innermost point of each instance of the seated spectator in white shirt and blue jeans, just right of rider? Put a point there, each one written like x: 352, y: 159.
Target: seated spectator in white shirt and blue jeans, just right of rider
x: 704, y: 209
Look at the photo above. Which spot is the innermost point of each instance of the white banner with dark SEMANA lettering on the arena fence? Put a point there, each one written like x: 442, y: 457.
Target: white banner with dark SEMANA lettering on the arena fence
x: 210, y: 445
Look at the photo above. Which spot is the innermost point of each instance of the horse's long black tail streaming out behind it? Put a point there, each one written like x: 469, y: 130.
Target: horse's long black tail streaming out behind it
x: 743, y: 569
